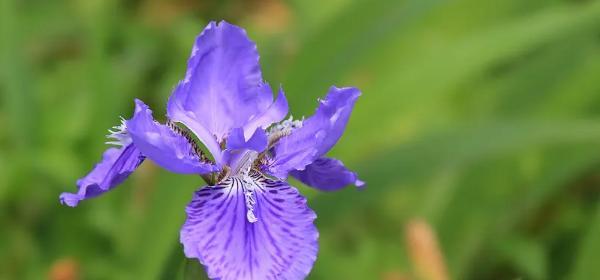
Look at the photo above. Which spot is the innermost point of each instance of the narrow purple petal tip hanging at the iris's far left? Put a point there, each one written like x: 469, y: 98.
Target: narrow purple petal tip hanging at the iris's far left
x: 116, y: 165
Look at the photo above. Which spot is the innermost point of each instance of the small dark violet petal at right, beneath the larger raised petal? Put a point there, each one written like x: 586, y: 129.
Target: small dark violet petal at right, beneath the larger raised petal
x: 327, y: 174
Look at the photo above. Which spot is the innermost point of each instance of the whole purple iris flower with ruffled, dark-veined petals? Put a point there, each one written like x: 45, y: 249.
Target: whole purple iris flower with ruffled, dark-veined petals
x: 248, y: 222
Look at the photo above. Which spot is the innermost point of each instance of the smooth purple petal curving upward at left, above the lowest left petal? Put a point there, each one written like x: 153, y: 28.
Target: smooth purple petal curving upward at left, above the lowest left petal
x: 163, y: 145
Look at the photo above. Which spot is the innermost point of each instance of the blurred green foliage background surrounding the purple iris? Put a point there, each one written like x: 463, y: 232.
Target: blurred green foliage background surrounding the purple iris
x: 479, y: 124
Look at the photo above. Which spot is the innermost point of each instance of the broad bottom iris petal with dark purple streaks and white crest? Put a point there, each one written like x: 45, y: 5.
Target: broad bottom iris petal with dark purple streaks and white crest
x: 251, y: 228
